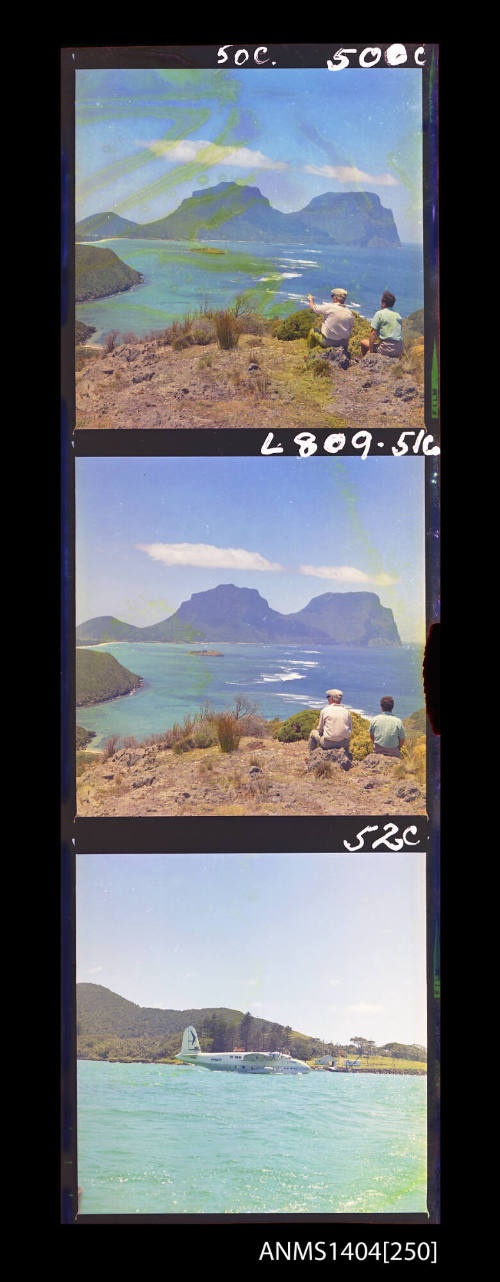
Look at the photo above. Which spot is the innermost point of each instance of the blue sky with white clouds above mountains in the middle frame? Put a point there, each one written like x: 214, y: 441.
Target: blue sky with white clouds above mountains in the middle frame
x: 153, y: 531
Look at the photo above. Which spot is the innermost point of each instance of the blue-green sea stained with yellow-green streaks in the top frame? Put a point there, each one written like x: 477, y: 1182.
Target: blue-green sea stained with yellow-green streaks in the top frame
x: 275, y: 278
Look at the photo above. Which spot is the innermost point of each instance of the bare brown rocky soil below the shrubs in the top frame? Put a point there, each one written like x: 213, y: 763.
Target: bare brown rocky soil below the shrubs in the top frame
x: 262, y: 384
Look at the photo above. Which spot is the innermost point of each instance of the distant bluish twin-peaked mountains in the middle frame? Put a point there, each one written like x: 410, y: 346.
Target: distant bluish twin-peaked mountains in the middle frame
x: 230, y: 613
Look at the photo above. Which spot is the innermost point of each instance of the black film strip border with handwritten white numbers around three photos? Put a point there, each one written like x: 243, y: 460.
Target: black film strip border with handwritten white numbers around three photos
x: 190, y: 837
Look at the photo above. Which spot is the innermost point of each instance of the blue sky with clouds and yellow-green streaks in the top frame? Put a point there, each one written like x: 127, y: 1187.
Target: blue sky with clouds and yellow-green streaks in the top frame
x: 148, y: 139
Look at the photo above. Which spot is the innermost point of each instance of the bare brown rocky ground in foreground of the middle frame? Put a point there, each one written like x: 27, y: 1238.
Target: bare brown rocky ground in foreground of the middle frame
x: 263, y: 778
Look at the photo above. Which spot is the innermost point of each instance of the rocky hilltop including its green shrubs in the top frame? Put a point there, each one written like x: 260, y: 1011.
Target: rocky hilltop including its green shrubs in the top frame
x: 269, y: 380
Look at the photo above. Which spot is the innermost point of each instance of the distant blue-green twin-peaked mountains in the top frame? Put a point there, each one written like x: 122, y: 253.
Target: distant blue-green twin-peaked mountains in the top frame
x: 235, y: 212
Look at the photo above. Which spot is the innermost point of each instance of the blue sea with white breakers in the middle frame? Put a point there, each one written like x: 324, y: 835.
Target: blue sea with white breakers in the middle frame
x: 280, y: 680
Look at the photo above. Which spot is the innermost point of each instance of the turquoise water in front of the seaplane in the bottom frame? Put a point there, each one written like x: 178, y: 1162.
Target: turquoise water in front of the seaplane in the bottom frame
x: 165, y: 1139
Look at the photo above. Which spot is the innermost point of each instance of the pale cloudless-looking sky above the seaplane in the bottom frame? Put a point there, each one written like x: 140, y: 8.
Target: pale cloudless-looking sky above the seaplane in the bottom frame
x: 334, y: 945
